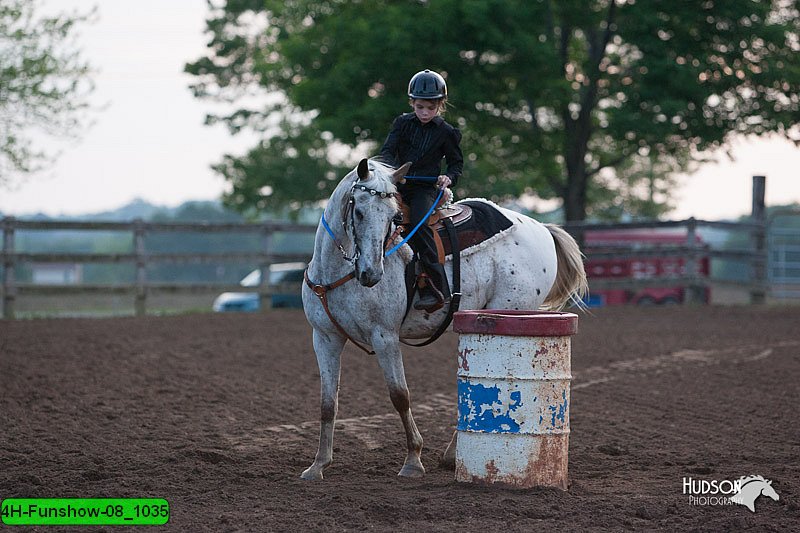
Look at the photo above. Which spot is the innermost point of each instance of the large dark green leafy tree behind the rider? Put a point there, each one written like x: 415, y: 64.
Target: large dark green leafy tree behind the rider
x: 597, y: 102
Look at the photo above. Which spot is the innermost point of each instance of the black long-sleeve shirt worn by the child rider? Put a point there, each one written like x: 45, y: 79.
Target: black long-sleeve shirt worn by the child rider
x: 425, y: 145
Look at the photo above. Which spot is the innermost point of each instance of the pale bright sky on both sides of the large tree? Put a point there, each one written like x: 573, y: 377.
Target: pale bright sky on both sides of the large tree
x: 149, y: 141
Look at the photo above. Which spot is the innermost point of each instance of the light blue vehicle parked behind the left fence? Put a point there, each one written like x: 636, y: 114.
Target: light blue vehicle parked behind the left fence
x: 279, y: 274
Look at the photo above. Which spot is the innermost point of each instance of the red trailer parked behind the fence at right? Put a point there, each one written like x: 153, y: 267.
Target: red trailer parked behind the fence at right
x: 658, y: 265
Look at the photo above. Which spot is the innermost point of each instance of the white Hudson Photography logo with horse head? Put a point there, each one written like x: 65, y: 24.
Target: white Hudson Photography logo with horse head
x: 742, y: 491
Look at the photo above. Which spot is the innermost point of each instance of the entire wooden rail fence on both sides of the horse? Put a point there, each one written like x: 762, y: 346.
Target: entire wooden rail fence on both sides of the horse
x: 692, y: 251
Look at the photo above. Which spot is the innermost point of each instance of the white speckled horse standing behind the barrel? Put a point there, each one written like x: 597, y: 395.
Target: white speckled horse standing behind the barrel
x: 534, y: 265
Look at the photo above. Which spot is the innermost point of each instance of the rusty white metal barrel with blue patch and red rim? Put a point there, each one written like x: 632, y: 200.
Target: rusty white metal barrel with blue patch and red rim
x: 513, y: 397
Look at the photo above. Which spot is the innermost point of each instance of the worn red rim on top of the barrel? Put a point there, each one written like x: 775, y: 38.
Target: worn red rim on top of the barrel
x: 516, y: 322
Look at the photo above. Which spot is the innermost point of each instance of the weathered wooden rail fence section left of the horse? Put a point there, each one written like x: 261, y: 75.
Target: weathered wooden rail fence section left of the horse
x: 141, y: 259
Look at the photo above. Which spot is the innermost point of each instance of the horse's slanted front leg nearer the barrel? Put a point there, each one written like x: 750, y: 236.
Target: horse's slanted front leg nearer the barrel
x: 391, y: 360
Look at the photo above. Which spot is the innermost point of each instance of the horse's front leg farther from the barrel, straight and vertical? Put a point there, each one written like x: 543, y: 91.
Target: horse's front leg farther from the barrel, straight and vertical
x: 329, y: 359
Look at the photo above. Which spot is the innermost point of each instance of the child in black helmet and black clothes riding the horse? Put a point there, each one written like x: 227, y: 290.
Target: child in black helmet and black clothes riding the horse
x: 425, y: 139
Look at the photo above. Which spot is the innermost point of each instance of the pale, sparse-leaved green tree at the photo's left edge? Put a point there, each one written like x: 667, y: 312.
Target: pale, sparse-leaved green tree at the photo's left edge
x: 44, y: 84
